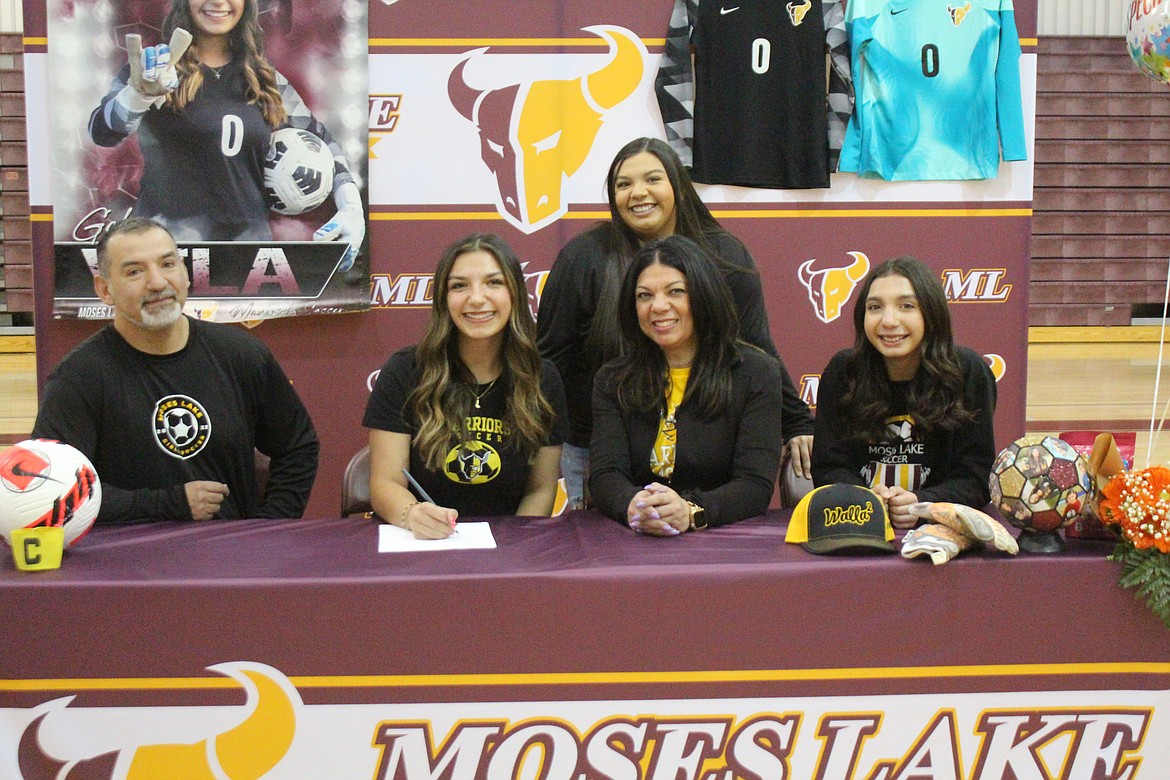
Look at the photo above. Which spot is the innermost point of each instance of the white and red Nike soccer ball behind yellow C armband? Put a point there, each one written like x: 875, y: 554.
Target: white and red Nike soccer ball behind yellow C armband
x: 45, y: 482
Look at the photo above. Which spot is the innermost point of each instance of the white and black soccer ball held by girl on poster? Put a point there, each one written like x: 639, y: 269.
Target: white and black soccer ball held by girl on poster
x: 299, y: 171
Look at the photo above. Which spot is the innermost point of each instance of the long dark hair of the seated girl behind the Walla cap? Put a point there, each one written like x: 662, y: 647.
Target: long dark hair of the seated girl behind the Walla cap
x: 937, y: 392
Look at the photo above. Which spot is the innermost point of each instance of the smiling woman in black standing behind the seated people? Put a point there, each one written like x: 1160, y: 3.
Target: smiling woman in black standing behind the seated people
x: 651, y: 197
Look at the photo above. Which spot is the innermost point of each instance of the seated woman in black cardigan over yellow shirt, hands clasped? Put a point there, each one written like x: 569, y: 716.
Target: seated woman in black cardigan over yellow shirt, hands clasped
x: 685, y: 427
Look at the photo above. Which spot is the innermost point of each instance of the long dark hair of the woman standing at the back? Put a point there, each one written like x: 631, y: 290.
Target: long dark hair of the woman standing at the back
x: 693, y: 220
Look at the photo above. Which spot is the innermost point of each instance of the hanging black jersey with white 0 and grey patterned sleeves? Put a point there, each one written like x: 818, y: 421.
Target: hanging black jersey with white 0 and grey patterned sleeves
x: 762, y: 115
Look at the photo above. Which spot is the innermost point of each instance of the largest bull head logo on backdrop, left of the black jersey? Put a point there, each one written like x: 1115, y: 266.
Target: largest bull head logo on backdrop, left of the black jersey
x: 535, y: 135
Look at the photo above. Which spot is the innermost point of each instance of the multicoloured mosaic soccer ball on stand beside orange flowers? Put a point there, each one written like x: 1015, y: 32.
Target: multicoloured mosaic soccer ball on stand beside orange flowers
x: 1040, y: 484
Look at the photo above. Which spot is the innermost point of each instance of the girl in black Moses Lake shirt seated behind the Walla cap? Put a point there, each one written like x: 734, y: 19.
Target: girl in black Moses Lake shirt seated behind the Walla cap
x: 905, y: 411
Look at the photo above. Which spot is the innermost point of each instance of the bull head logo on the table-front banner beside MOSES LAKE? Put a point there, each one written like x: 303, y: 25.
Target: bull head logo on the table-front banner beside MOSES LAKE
x: 247, y: 751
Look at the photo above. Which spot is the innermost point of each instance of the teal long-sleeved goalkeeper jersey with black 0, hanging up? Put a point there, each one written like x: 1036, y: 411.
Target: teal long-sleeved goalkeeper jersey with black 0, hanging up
x: 938, y: 89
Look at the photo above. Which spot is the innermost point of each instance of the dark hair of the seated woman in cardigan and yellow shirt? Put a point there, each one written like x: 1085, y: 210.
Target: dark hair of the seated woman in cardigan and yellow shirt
x: 643, y: 372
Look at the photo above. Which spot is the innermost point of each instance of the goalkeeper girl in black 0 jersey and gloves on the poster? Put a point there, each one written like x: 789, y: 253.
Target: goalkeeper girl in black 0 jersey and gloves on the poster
x: 204, y: 115
